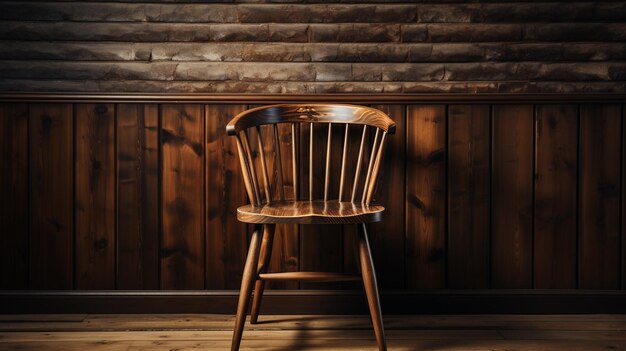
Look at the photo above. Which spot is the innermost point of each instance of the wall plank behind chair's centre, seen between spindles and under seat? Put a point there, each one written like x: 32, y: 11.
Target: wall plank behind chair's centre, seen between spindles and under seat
x: 321, y: 246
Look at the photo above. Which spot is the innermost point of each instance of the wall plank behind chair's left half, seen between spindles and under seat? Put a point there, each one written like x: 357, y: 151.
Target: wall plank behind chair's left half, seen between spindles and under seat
x: 286, y: 251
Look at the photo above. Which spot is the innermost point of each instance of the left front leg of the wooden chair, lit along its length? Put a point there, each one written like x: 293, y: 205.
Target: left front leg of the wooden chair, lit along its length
x: 249, y: 275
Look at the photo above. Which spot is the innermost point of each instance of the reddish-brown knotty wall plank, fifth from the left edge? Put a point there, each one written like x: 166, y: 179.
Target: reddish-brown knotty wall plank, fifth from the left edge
x: 182, y: 199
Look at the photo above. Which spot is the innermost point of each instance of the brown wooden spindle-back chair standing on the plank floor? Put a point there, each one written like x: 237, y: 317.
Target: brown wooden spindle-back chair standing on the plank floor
x: 352, y: 204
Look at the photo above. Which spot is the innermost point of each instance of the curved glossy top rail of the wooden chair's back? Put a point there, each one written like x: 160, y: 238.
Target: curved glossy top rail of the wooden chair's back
x: 311, y: 113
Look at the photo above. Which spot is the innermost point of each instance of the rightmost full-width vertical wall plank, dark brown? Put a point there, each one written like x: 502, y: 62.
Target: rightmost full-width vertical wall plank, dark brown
x: 599, y: 202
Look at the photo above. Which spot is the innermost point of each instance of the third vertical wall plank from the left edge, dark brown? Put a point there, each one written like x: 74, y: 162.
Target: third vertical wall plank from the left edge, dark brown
x: 94, y: 197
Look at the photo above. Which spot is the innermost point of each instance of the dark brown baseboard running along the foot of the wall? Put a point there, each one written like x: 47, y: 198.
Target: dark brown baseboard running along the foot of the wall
x: 317, y: 302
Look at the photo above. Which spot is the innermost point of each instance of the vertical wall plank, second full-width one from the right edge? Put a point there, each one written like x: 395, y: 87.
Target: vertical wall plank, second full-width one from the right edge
x: 556, y: 168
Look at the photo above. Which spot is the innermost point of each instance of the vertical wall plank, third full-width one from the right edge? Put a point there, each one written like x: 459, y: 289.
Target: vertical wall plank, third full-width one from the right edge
x: 512, y: 189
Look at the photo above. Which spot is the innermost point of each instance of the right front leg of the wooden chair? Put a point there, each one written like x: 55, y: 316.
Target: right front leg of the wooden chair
x: 371, y: 287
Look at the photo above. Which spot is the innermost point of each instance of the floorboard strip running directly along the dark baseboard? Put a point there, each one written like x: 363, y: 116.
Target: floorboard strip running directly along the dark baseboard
x: 23, y: 327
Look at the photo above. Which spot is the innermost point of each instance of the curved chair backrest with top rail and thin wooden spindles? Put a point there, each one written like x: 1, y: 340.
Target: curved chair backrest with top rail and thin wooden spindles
x: 321, y: 125
